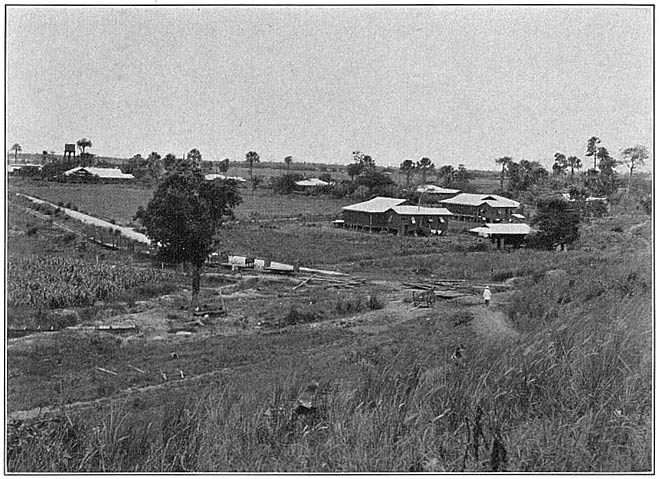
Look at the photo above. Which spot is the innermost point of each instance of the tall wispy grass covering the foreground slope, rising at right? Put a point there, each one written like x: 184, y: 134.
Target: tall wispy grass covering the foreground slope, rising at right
x: 572, y: 393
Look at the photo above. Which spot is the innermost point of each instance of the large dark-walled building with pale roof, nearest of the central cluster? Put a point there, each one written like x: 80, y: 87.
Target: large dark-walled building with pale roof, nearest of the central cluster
x: 394, y: 215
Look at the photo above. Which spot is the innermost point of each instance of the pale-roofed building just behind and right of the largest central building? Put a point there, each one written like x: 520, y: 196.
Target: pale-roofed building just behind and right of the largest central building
x: 481, y: 208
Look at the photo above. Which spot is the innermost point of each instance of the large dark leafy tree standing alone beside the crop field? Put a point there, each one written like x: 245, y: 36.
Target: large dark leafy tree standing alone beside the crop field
x: 185, y: 214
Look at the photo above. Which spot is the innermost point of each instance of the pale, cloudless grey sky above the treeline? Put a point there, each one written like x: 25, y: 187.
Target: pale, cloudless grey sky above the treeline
x: 456, y: 84
